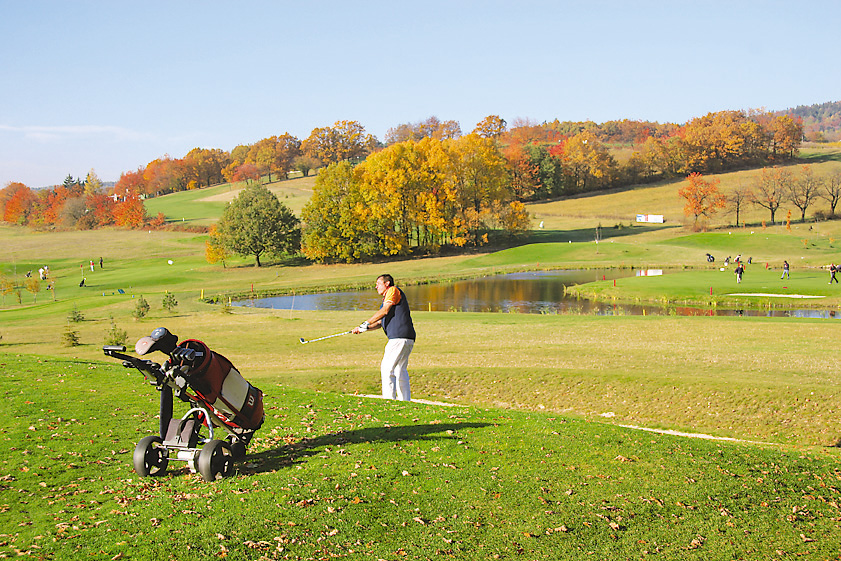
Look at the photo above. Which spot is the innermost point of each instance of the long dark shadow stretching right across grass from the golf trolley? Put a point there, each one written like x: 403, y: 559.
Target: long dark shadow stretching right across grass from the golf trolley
x: 291, y: 454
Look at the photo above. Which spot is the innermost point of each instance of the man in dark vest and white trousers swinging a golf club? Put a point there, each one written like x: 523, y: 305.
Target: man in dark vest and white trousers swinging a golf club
x: 396, y: 320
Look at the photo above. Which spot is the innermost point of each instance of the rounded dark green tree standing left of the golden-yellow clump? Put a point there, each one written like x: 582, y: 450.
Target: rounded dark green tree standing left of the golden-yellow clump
x: 257, y: 223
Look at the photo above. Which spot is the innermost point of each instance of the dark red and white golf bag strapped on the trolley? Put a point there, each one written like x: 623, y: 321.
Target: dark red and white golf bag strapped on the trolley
x: 222, y: 387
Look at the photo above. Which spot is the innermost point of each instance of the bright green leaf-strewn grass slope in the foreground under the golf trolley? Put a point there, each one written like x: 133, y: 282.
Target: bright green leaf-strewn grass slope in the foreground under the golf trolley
x: 334, y: 476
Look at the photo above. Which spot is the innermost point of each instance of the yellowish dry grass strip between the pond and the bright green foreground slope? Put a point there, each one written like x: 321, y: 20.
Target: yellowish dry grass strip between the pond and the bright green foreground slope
x: 724, y: 376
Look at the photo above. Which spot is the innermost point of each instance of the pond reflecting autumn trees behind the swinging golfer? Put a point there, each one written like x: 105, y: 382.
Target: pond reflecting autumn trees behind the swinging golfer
x: 537, y: 292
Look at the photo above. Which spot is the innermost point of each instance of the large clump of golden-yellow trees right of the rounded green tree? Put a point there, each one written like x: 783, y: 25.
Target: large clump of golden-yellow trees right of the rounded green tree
x: 411, y: 195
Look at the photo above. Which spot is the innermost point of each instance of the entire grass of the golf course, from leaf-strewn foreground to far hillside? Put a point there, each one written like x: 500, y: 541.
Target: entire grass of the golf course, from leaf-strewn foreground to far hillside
x: 533, y: 461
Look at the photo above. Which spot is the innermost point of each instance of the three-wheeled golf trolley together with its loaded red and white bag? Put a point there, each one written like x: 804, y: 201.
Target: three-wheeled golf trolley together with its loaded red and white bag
x: 220, y: 400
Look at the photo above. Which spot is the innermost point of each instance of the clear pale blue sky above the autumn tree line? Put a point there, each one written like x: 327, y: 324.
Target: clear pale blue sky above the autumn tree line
x: 111, y: 85
